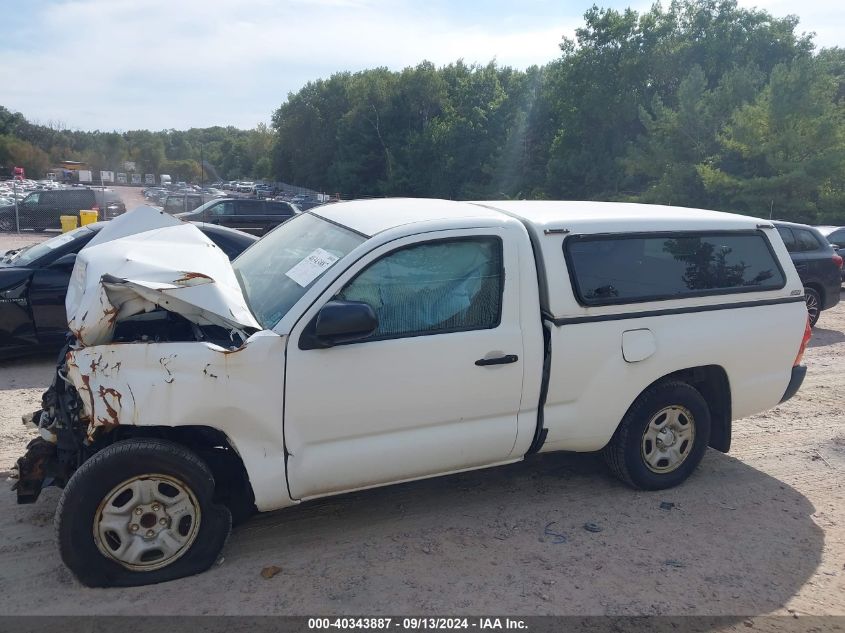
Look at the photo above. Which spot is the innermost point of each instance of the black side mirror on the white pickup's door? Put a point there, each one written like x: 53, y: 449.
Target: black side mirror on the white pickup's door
x: 339, y: 322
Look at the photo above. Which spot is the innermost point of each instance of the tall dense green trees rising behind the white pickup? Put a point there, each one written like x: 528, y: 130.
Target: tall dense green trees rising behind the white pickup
x: 698, y: 103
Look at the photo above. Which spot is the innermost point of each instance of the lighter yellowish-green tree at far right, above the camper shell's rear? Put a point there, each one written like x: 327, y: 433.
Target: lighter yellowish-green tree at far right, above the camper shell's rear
x: 784, y: 153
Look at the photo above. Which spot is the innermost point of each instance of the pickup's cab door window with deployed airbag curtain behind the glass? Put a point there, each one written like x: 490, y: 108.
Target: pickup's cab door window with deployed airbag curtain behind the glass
x: 433, y: 288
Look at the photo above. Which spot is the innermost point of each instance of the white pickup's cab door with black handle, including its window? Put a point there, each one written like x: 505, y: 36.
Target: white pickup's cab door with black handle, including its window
x: 435, y: 388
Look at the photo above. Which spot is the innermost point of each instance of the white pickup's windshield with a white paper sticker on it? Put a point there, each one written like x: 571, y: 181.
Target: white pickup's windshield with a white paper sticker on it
x: 276, y: 271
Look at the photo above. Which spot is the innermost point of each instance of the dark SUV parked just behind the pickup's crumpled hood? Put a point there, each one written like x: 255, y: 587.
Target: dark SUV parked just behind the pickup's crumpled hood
x: 245, y: 214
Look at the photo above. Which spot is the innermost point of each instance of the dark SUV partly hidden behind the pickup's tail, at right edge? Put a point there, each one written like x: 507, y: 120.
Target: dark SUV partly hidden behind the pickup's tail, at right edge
x: 818, y: 265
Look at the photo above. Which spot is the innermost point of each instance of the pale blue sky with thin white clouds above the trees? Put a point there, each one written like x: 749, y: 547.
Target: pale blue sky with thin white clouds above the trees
x: 161, y: 64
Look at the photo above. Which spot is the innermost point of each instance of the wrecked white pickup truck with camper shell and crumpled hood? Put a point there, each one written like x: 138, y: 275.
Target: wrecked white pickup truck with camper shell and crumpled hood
x: 373, y: 342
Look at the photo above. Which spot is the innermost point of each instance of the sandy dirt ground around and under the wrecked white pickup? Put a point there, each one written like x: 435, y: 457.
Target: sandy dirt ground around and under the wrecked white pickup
x: 758, y: 531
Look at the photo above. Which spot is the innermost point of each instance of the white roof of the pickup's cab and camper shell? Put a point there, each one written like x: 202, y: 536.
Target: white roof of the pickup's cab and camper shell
x: 370, y: 217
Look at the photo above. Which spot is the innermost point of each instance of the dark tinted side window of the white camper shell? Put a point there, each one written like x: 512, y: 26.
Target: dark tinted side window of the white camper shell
x: 607, y: 270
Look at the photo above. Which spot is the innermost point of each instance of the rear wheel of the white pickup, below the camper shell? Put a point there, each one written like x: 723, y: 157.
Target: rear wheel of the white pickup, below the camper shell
x: 662, y: 437
